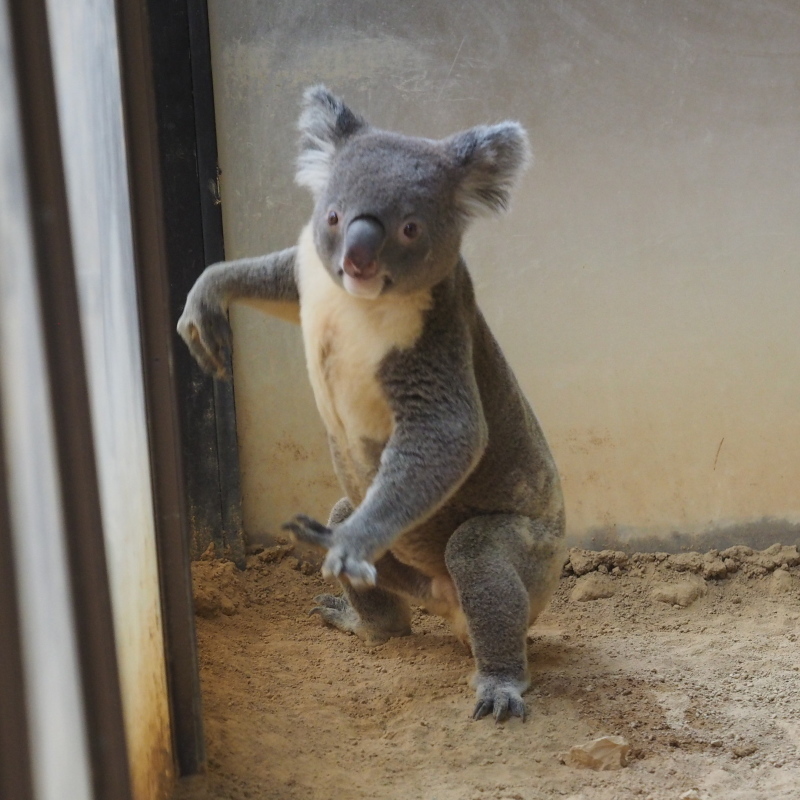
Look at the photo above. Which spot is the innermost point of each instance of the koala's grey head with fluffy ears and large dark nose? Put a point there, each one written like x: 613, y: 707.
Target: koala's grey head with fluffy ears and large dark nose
x: 390, y: 209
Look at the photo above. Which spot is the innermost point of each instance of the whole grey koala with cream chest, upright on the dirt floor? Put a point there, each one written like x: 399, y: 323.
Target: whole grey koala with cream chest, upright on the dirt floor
x: 452, y: 498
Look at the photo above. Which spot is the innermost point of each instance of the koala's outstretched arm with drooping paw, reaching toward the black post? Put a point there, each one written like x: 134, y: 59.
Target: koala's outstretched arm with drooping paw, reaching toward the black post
x: 204, y: 323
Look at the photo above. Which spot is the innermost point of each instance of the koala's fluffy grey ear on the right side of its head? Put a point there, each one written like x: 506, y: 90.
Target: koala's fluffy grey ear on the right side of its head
x: 489, y: 159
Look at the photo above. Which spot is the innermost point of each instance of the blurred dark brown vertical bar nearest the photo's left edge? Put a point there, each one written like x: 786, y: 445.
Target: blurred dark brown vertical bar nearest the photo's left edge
x: 69, y: 400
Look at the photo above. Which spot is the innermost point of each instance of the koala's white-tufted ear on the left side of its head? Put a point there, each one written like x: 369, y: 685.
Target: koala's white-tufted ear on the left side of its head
x: 325, y: 124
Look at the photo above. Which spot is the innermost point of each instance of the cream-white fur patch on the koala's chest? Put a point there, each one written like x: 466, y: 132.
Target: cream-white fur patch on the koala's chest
x: 346, y: 338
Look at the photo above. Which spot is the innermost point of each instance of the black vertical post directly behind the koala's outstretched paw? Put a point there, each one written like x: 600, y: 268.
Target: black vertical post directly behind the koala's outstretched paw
x: 184, y: 103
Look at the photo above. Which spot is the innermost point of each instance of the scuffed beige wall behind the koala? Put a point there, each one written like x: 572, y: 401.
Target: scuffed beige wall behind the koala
x: 645, y: 285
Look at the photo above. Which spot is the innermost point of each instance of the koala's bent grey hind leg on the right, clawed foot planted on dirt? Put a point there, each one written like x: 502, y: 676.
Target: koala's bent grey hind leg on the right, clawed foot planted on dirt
x: 504, y: 568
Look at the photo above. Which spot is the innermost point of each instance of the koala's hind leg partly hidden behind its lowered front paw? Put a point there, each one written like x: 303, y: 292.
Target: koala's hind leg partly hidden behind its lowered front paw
x: 374, y: 614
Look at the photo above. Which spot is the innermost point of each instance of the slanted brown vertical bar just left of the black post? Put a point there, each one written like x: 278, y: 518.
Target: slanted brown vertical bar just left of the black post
x: 161, y: 392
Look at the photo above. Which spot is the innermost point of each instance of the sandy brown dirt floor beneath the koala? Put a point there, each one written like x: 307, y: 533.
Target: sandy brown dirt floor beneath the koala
x: 693, y: 659
